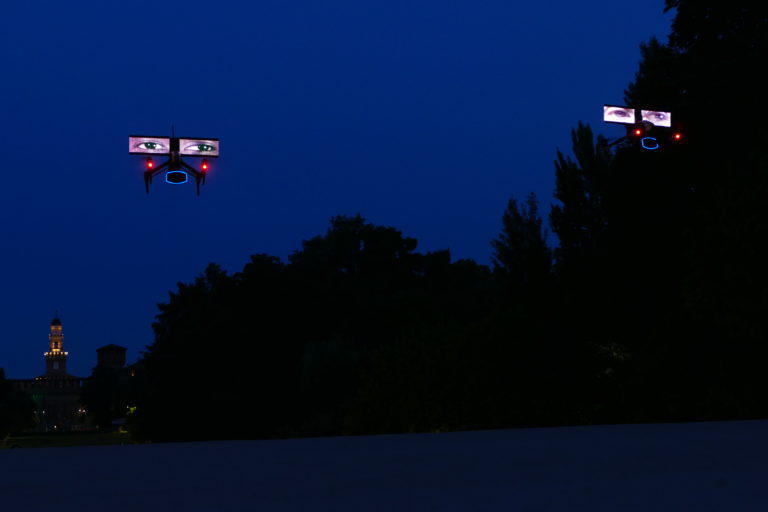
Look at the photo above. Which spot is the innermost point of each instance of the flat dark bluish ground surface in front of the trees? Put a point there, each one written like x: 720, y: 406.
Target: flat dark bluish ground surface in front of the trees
x: 675, y: 467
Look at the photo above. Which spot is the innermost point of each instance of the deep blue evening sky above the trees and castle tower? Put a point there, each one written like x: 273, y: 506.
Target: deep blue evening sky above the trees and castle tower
x: 423, y: 115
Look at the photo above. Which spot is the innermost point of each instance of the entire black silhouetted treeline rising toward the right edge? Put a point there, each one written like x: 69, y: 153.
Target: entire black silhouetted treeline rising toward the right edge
x: 652, y: 307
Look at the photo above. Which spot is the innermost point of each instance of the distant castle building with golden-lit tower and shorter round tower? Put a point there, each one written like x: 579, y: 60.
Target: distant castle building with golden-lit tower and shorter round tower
x: 57, y: 393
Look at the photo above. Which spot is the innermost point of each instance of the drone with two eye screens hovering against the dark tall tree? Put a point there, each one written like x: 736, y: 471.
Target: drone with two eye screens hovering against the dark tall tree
x: 650, y: 128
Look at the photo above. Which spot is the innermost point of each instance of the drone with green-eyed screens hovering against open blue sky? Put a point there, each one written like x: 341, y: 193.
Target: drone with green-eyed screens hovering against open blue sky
x: 176, y: 170
